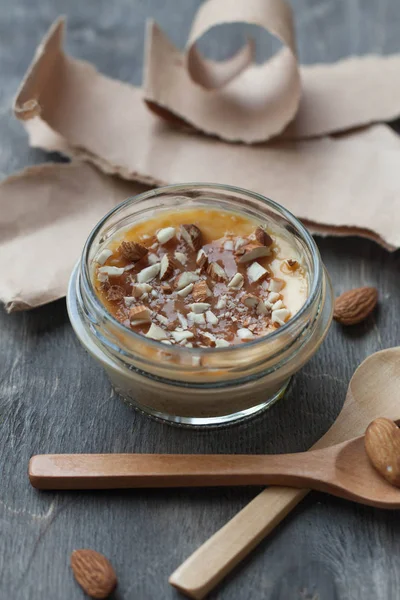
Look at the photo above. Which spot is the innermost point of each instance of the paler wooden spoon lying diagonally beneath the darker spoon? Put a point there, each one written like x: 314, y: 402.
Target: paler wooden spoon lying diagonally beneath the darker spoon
x: 373, y: 392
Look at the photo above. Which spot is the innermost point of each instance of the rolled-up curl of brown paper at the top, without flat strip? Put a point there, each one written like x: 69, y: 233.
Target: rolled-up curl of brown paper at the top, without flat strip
x: 255, y: 104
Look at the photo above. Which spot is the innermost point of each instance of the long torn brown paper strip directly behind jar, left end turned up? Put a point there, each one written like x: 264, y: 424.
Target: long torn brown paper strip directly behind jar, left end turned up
x: 330, y: 182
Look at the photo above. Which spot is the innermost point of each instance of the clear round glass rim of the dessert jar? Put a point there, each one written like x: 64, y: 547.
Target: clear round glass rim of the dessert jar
x: 190, y: 187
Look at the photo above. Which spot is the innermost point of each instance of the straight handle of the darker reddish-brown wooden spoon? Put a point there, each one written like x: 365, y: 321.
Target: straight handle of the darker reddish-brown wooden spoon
x: 107, y: 471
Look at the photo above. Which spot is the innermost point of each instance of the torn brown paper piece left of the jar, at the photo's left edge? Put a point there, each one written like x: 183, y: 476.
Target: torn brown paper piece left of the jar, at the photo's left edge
x: 46, y: 214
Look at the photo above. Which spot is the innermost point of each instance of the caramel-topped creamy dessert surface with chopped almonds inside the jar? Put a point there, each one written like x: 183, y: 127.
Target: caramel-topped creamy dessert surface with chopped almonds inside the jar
x: 201, y: 278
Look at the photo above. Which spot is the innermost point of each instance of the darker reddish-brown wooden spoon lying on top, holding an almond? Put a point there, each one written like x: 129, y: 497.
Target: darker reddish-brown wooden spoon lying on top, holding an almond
x: 343, y: 470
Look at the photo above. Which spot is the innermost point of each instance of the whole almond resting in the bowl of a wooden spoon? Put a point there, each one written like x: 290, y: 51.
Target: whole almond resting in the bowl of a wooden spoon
x: 382, y: 443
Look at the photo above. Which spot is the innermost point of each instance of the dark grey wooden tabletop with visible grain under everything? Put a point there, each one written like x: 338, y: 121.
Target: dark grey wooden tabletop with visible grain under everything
x: 53, y: 398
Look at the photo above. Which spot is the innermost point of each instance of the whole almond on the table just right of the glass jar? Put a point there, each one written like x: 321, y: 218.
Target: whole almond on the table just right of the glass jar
x: 355, y: 305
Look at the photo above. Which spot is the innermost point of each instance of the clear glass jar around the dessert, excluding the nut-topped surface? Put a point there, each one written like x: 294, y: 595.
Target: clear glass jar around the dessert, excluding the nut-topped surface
x: 200, y: 386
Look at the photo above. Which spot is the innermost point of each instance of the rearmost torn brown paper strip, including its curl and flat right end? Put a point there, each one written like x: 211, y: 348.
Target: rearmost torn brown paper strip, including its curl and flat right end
x: 256, y: 104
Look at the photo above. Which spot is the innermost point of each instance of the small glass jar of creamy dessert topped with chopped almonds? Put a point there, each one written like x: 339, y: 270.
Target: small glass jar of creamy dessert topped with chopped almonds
x: 200, y: 301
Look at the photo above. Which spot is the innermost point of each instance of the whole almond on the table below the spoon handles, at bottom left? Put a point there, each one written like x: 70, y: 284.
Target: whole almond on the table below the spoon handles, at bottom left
x: 93, y: 572
